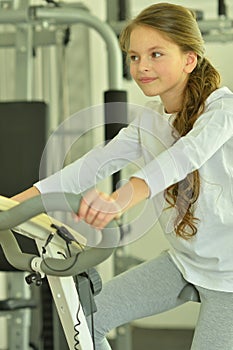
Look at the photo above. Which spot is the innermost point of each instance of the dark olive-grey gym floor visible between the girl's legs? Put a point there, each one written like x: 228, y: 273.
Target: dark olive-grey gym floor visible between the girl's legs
x: 160, y: 339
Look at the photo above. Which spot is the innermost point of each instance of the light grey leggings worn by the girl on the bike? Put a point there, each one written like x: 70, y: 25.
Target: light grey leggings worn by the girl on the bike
x: 153, y: 287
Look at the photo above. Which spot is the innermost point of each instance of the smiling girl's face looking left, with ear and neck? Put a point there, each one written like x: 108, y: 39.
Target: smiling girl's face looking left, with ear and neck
x: 158, y: 66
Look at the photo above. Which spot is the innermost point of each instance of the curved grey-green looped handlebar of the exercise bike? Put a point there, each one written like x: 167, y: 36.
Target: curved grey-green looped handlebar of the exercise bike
x: 66, y: 202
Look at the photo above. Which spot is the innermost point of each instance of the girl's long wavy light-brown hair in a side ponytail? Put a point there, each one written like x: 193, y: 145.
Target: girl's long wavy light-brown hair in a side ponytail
x: 179, y: 25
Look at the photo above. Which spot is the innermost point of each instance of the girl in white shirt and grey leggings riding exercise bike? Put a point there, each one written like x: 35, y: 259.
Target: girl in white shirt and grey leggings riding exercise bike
x: 192, y: 171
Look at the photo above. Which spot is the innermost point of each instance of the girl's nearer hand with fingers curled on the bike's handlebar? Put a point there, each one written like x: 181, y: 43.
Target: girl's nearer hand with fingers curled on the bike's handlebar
x: 98, y: 209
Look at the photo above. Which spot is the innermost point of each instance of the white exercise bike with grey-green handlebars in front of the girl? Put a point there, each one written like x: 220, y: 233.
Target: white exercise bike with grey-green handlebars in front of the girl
x: 63, y: 257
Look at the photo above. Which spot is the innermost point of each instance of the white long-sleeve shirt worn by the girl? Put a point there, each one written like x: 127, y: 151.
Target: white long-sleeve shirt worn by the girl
x: 207, y: 258
